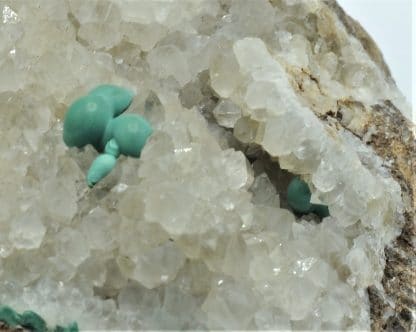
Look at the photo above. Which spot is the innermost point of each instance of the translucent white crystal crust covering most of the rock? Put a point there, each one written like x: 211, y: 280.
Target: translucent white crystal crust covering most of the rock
x: 192, y: 235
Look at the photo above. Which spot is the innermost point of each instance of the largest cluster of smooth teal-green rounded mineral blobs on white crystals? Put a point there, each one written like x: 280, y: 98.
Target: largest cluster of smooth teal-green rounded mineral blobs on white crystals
x: 97, y: 119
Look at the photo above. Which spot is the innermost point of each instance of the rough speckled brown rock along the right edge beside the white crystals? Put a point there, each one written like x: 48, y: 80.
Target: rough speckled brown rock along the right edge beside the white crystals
x: 394, y: 140
